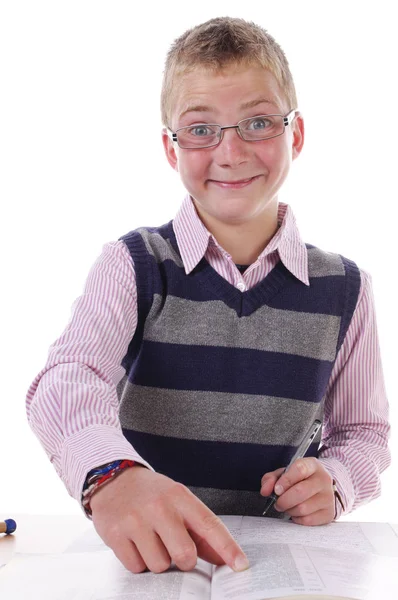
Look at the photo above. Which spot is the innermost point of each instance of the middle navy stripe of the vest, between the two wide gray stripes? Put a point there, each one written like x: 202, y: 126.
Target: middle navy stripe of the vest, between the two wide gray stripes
x: 184, y: 367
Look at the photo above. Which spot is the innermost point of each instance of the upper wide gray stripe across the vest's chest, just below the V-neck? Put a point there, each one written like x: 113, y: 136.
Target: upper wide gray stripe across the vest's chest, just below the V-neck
x: 213, y: 323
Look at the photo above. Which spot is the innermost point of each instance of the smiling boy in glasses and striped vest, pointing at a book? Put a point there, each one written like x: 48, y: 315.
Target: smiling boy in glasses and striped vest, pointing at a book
x: 202, y: 350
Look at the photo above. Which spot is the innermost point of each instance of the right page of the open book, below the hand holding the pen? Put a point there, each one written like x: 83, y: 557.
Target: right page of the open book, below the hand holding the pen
x: 294, y: 571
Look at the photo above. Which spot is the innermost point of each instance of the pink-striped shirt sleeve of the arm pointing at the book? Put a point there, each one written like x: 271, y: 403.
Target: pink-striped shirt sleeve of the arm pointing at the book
x: 72, y: 404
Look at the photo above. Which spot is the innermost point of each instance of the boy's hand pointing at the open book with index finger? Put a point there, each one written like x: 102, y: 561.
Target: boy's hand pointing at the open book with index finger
x: 149, y: 520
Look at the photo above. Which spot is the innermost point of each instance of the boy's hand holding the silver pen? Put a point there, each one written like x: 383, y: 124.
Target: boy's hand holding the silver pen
x: 307, y: 494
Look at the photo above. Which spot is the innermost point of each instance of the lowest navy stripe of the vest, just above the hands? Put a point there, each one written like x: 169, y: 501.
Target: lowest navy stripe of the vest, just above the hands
x: 223, y: 465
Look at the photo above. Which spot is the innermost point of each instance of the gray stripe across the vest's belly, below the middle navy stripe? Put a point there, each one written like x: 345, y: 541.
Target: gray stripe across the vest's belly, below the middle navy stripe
x: 216, y: 416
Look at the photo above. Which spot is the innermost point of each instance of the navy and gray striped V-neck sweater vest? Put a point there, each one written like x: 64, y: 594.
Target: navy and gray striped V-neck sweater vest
x: 221, y: 385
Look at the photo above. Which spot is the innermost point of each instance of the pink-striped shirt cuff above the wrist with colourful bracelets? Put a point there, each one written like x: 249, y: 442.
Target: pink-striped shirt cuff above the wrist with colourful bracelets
x: 89, y: 449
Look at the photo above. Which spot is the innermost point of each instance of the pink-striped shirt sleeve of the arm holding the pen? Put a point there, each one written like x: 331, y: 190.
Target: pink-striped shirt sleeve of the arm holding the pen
x: 356, y: 429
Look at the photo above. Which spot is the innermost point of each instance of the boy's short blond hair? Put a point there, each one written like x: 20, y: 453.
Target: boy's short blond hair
x: 219, y: 43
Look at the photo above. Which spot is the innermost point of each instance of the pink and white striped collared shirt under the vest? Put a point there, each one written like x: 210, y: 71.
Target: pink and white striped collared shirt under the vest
x: 72, y: 404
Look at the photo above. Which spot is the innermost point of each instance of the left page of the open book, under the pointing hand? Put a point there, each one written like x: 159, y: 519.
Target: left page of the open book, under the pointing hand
x: 97, y: 576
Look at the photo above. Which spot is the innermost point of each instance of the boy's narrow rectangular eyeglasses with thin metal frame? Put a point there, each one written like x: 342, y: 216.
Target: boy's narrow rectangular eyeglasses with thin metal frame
x: 255, y: 129
